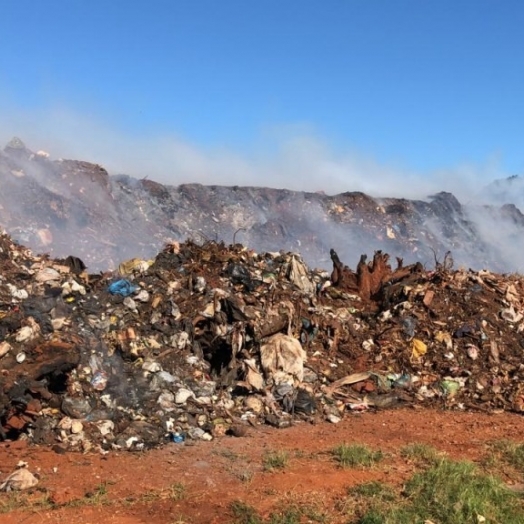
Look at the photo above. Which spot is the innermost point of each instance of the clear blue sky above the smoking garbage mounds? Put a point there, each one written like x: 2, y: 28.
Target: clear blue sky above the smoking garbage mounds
x: 405, y: 86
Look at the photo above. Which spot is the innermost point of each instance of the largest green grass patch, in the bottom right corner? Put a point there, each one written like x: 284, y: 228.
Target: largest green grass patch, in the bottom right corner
x: 446, y: 493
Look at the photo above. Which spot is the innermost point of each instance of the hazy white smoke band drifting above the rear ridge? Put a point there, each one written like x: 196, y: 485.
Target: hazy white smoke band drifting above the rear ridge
x: 291, y: 157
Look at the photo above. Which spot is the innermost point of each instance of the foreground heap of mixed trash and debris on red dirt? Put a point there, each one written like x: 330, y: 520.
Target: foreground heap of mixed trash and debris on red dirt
x: 211, y: 340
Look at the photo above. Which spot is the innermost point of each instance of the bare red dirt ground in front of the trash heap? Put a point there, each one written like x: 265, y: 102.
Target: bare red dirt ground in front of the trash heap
x: 215, y: 474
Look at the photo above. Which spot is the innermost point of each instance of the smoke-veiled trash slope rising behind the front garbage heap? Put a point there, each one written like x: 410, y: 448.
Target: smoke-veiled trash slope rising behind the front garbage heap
x: 67, y: 206
